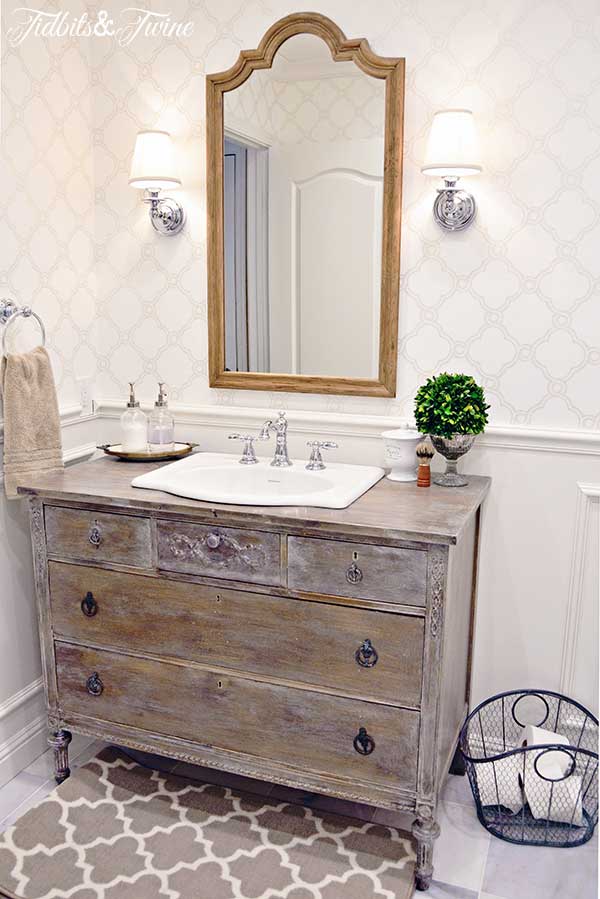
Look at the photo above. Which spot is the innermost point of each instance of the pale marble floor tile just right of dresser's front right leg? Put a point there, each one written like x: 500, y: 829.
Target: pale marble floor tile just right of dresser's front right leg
x: 460, y: 852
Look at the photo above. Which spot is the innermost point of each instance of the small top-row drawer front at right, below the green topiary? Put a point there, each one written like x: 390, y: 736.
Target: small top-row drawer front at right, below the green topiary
x: 387, y: 574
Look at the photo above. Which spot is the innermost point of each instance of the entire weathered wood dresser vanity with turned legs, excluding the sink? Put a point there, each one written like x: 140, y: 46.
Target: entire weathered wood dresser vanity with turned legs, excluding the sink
x: 325, y: 649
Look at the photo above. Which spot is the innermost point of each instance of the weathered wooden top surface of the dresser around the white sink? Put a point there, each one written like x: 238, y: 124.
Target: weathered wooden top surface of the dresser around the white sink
x: 391, y: 509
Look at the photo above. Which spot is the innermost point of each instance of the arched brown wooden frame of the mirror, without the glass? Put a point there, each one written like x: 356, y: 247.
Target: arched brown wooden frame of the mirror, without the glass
x: 392, y: 71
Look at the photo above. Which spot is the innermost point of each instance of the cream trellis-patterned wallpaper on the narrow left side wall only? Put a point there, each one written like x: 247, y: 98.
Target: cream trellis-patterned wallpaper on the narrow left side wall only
x: 47, y: 196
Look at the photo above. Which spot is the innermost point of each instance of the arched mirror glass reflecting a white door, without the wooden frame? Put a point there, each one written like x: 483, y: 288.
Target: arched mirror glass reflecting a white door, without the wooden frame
x: 303, y: 182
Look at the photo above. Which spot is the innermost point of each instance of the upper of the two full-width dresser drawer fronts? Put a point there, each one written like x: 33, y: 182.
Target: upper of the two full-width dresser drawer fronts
x: 358, y: 652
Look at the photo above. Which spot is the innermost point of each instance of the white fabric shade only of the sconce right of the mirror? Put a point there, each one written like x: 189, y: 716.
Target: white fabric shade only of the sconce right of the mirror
x: 453, y: 145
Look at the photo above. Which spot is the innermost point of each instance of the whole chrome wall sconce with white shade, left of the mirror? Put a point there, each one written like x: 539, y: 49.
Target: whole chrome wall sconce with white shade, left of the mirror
x: 153, y: 169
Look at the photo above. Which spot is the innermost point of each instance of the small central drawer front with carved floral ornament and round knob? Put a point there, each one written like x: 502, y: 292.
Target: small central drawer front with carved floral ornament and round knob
x: 214, y: 551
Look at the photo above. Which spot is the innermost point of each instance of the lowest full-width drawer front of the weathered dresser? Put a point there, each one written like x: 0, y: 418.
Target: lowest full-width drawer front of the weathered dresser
x: 315, y: 731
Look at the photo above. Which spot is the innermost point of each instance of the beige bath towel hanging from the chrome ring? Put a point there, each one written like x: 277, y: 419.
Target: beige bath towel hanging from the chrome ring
x: 32, y: 442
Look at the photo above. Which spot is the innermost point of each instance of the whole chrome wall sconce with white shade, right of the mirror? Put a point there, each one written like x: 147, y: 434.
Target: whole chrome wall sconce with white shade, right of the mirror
x: 453, y: 151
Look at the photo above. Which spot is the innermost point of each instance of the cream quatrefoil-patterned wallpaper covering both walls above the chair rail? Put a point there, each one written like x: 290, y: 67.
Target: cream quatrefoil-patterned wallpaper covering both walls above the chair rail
x: 514, y: 300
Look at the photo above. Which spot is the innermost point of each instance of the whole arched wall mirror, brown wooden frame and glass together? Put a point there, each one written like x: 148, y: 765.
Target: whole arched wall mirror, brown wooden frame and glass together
x: 304, y: 175
